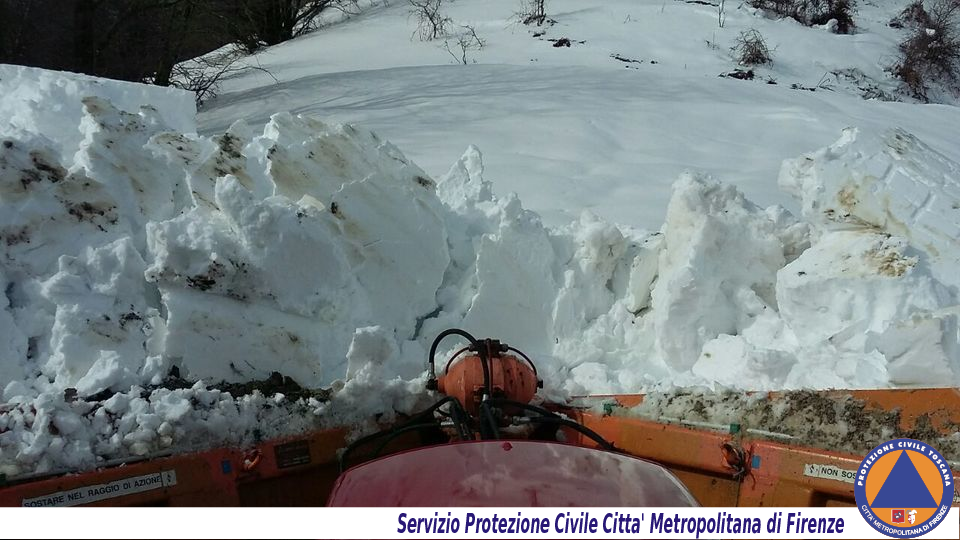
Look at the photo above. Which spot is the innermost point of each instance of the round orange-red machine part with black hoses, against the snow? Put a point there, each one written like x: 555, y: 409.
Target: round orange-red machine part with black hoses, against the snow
x: 510, y: 377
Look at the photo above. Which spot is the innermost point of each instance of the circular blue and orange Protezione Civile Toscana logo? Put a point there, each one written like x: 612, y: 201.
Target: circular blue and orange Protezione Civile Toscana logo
x: 904, y: 488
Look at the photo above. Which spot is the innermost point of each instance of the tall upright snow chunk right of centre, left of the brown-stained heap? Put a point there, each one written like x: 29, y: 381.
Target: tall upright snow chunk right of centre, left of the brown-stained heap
x: 717, y: 268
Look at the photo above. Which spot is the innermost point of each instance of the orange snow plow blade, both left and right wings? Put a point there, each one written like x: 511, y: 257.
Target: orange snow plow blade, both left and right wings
x: 732, y: 464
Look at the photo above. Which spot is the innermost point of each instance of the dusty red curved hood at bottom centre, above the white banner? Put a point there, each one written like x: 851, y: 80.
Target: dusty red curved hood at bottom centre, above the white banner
x: 509, y: 473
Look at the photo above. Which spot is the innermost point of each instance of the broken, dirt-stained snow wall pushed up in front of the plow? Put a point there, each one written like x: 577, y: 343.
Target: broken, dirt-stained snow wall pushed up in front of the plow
x: 321, y: 252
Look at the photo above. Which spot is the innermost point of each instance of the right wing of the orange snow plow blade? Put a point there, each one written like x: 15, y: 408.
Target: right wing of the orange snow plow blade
x: 736, y: 465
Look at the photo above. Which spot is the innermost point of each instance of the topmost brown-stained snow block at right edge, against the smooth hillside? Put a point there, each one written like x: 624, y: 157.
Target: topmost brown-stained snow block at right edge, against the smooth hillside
x: 892, y: 183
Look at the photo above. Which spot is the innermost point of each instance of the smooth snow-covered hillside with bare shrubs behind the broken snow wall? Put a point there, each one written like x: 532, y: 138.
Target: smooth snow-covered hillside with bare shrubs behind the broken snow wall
x: 588, y: 130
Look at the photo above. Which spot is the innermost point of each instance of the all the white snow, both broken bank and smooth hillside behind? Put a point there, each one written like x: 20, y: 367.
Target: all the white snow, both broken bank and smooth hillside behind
x: 131, y: 245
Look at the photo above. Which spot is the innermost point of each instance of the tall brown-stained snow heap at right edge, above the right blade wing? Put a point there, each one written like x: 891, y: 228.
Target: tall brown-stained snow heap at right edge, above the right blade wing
x: 880, y: 279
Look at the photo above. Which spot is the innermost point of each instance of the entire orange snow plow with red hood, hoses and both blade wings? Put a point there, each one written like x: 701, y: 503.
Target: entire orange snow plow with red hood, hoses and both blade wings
x: 769, y: 449
